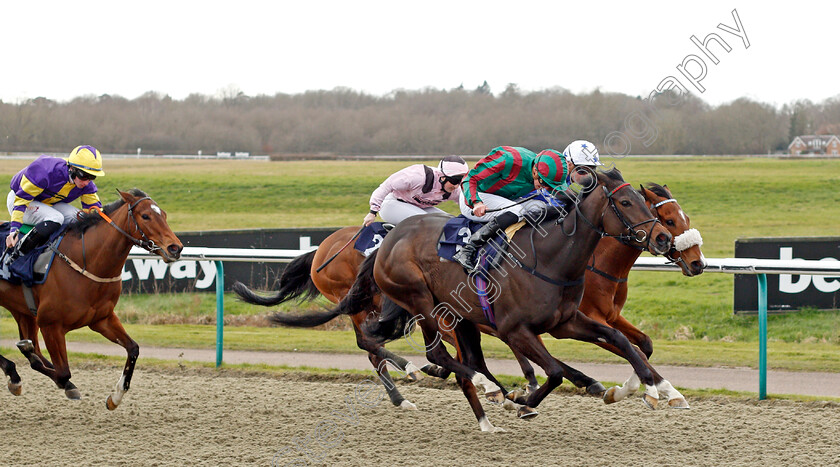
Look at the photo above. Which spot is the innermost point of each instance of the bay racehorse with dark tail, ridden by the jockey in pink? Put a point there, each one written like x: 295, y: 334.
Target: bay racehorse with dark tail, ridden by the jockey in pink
x: 331, y: 270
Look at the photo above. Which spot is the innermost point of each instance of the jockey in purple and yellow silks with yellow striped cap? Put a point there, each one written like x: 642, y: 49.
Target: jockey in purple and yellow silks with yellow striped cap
x: 42, y: 192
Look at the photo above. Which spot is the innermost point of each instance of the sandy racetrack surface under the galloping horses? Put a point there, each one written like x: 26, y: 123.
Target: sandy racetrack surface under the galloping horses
x: 230, y: 417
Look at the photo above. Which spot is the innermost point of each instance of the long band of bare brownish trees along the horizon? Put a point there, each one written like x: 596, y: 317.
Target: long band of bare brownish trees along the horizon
x: 428, y: 121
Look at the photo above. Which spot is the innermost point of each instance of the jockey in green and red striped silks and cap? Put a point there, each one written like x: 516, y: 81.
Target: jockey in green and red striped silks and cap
x: 504, y: 175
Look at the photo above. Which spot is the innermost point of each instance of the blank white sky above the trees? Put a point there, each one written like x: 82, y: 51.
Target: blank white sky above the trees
x: 62, y: 50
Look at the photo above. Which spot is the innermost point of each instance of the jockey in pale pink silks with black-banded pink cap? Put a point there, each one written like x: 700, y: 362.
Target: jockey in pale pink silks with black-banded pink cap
x: 417, y: 189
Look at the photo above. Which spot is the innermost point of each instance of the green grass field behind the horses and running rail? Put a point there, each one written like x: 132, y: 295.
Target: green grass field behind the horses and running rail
x: 726, y: 198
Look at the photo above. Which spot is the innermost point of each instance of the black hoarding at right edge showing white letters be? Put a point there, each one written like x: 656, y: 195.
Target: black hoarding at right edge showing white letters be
x: 786, y: 292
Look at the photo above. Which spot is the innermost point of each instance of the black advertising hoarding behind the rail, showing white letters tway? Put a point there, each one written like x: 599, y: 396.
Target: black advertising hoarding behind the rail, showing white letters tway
x: 153, y: 275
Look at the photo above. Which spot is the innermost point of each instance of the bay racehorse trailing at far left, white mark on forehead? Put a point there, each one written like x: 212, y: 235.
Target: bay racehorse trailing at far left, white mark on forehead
x: 83, y: 287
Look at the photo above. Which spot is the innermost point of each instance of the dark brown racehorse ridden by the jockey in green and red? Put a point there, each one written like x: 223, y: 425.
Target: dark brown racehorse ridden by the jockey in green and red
x: 533, y: 299
